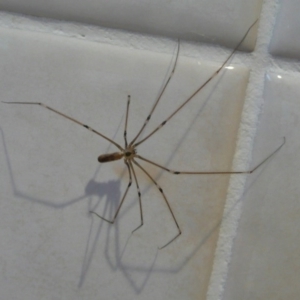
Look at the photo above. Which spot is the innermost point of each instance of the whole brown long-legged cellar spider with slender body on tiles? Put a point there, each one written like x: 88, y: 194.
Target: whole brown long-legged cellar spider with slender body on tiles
x: 129, y: 151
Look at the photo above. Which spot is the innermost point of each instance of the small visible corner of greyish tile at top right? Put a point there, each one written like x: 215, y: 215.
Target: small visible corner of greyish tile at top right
x: 286, y: 36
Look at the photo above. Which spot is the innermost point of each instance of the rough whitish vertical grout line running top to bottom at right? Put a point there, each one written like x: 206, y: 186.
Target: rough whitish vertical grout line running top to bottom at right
x: 261, y: 62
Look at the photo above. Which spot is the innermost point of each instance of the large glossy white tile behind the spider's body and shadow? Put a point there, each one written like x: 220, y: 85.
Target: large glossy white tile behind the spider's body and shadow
x: 50, y: 177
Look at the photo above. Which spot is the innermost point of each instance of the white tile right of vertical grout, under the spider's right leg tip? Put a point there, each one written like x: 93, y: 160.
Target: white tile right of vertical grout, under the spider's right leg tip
x: 265, y: 261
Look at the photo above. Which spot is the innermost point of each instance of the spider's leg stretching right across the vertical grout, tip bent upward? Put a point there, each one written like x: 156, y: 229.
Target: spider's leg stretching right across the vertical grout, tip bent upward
x: 212, y: 173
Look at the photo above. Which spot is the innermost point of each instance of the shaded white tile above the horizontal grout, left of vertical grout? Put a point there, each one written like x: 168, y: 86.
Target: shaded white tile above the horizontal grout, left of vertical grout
x: 215, y: 21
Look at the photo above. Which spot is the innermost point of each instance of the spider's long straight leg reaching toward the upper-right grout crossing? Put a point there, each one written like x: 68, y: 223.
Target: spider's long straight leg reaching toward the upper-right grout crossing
x: 197, y: 91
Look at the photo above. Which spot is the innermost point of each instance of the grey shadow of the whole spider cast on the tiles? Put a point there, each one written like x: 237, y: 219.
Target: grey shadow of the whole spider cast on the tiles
x: 112, y: 191
